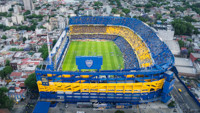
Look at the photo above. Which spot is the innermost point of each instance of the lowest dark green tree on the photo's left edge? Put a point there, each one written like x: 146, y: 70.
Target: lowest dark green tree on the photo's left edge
x: 5, y: 101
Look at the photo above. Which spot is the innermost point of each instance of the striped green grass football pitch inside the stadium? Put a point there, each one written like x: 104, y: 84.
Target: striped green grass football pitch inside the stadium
x: 112, y: 56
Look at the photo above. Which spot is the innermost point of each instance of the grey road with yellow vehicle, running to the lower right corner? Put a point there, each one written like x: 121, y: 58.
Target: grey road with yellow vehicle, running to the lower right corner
x: 185, y: 101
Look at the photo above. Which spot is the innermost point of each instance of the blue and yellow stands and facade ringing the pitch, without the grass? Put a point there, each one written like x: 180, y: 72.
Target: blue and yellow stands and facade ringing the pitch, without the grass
x: 148, y: 61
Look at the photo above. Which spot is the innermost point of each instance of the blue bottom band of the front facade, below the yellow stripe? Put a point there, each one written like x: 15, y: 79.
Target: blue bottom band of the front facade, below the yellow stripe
x: 134, y: 98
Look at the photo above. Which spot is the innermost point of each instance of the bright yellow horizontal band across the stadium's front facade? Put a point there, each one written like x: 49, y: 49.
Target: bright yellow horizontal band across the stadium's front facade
x: 145, y: 87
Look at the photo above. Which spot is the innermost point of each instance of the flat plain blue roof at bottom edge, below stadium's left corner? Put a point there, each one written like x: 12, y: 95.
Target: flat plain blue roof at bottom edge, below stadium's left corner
x: 42, y: 107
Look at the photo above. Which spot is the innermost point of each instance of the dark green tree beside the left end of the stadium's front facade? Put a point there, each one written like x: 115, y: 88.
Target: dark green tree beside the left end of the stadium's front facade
x: 31, y: 82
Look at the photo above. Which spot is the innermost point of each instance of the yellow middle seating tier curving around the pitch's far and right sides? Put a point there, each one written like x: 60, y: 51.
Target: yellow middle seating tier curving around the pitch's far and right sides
x: 141, y: 50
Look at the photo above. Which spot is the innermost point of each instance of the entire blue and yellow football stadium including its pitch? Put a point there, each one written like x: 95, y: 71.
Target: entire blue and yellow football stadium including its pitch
x: 107, y: 59
